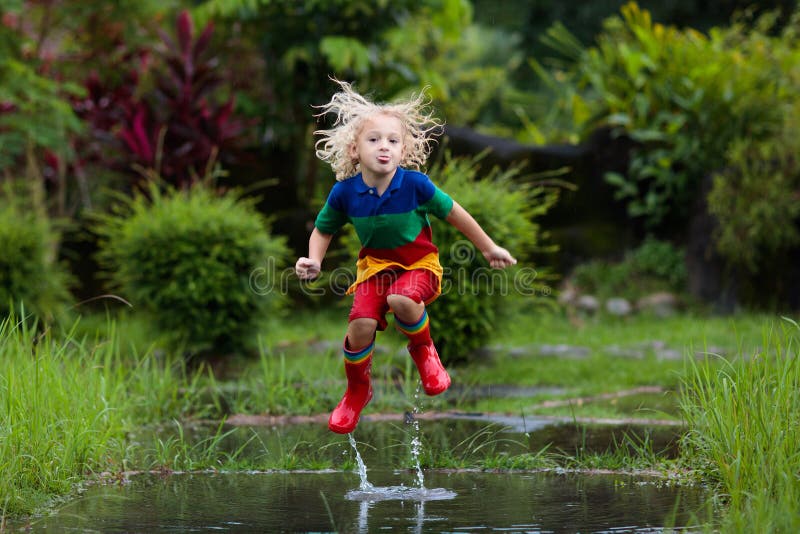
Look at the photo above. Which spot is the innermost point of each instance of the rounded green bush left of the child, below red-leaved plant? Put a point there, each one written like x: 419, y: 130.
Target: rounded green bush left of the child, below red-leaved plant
x: 188, y: 259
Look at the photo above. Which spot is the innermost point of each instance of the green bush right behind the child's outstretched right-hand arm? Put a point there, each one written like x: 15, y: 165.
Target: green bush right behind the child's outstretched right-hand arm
x: 475, y: 297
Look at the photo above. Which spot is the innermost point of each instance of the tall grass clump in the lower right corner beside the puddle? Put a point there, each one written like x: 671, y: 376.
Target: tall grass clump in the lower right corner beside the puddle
x: 744, y: 431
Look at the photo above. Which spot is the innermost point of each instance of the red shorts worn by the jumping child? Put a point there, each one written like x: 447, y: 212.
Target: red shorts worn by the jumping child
x: 369, y: 299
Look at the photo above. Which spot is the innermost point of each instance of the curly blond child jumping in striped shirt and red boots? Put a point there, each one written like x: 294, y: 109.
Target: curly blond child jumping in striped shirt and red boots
x: 376, y: 151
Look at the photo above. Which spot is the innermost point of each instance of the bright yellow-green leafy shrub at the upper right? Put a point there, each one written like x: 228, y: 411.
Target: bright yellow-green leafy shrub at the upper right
x: 683, y: 97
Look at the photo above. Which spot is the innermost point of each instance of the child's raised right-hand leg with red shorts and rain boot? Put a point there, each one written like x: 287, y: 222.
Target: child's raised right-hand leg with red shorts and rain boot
x: 406, y: 299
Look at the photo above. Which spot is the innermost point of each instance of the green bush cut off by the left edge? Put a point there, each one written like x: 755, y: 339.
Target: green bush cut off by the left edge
x: 30, y: 276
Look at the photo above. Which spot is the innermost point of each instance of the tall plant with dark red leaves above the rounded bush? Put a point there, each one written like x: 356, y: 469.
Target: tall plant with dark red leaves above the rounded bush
x: 178, y: 129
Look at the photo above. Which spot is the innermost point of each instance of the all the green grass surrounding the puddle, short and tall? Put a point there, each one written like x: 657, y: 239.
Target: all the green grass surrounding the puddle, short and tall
x: 103, y: 397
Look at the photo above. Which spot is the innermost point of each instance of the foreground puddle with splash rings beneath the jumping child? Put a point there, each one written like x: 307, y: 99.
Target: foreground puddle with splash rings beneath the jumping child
x: 325, y: 502
